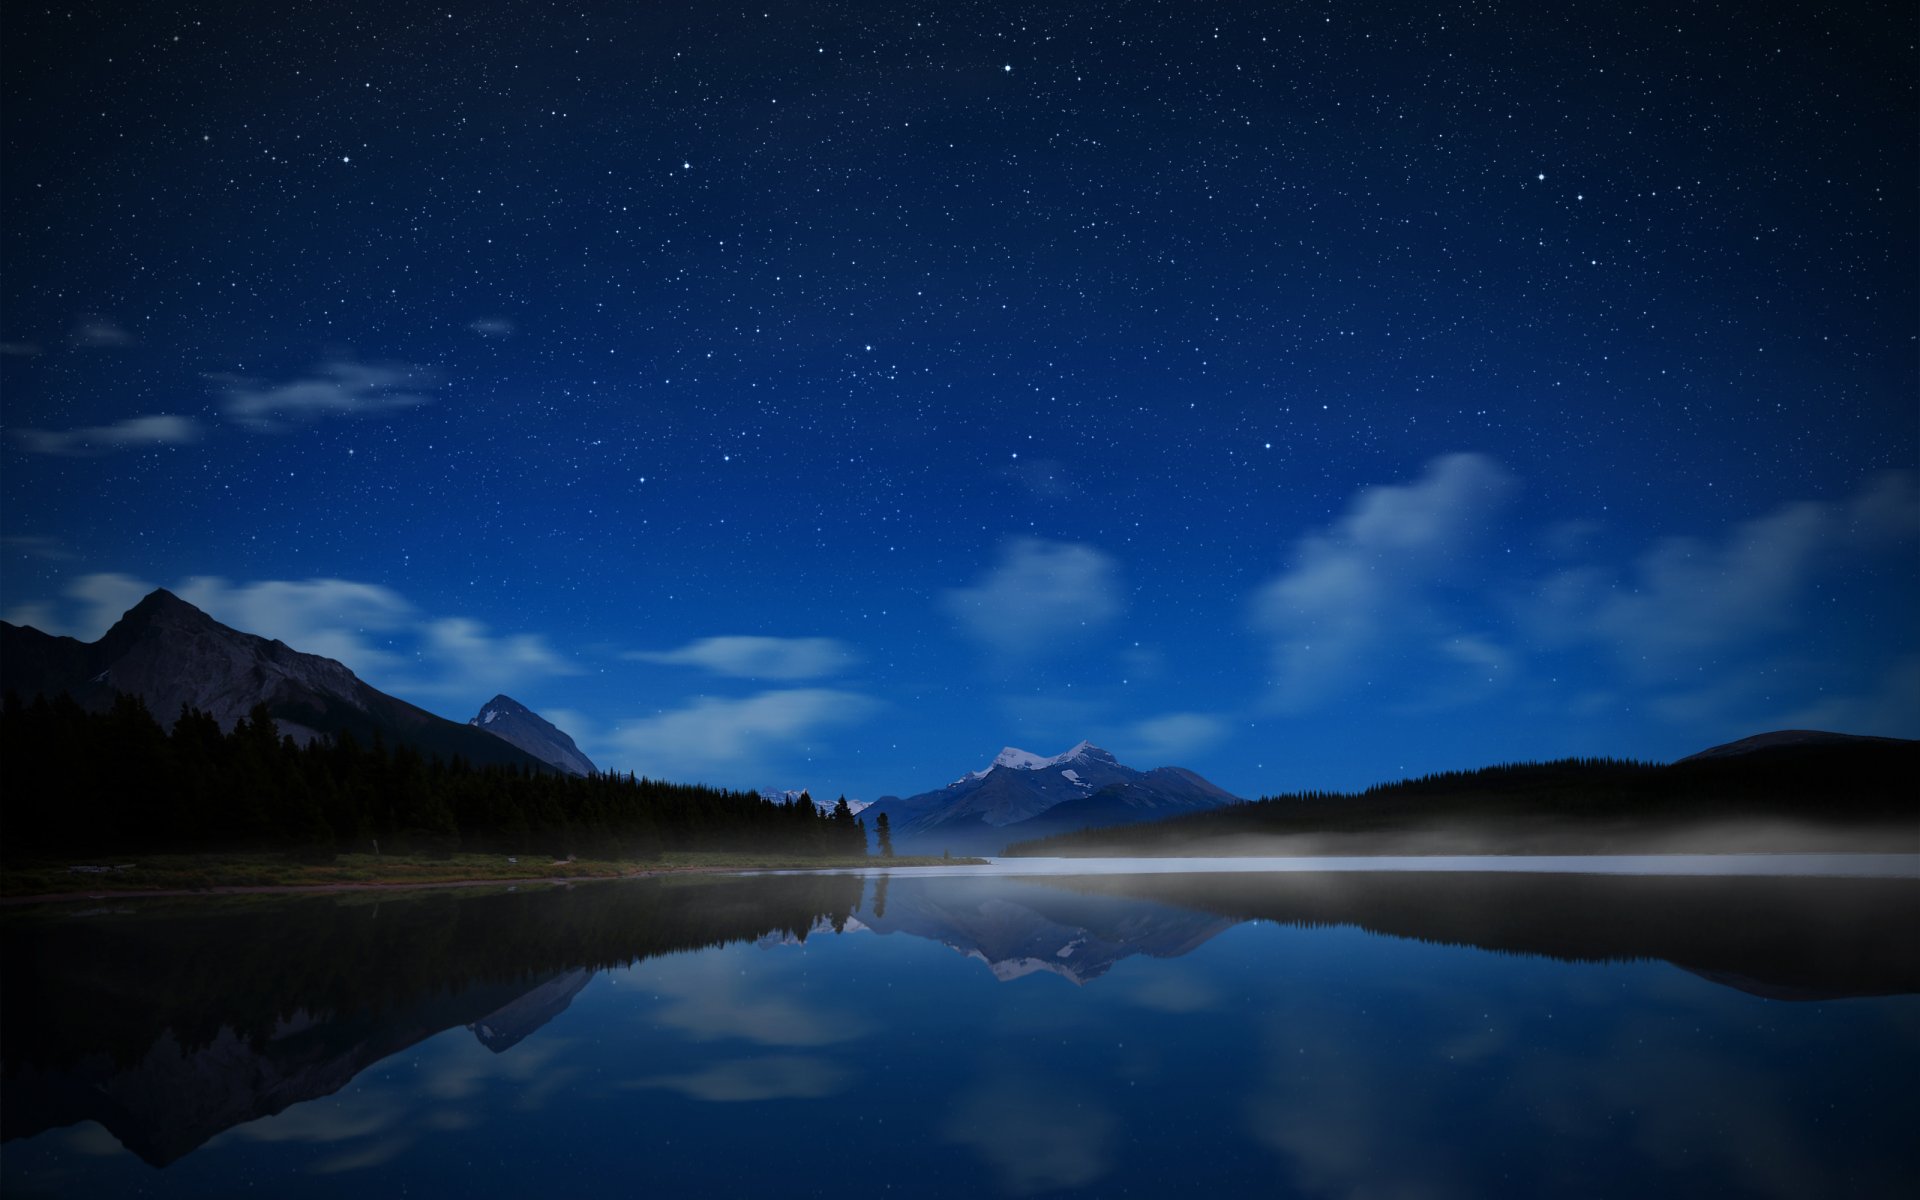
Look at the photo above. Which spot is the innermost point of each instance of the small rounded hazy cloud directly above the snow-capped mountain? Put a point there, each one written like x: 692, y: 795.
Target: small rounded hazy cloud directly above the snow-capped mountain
x: 1040, y: 598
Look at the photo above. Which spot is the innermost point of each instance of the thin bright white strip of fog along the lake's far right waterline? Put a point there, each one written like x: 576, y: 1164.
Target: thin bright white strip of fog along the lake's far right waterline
x: 1852, y: 867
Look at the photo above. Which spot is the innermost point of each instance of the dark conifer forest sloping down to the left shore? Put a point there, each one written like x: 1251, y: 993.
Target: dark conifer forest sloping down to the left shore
x: 76, y: 782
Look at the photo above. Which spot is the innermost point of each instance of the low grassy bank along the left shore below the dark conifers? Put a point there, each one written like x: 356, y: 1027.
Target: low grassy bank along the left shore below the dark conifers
x: 201, y: 873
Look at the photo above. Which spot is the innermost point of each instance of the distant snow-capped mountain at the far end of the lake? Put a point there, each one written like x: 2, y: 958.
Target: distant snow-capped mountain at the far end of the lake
x: 1022, y: 796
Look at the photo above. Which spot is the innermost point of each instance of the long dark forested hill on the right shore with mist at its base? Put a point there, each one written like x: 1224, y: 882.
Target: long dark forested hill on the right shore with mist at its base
x: 1842, y: 794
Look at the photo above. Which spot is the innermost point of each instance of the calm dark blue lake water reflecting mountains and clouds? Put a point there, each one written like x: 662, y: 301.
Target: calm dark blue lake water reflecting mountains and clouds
x: 1310, y: 1034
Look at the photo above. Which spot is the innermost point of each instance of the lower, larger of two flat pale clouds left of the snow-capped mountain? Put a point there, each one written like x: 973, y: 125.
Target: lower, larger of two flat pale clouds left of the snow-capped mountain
x: 734, y: 734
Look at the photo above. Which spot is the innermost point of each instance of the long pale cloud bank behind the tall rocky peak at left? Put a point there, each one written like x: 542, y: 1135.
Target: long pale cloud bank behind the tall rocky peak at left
x: 373, y: 631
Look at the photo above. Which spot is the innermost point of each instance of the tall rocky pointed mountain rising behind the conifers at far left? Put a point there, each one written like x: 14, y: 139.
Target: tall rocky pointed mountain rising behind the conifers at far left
x: 170, y: 654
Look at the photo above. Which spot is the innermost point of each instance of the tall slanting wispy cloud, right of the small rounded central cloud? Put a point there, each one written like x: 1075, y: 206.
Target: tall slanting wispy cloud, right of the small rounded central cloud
x: 1376, y: 579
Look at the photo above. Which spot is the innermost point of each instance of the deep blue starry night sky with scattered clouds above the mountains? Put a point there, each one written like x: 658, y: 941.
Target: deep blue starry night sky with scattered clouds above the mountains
x: 830, y: 395
